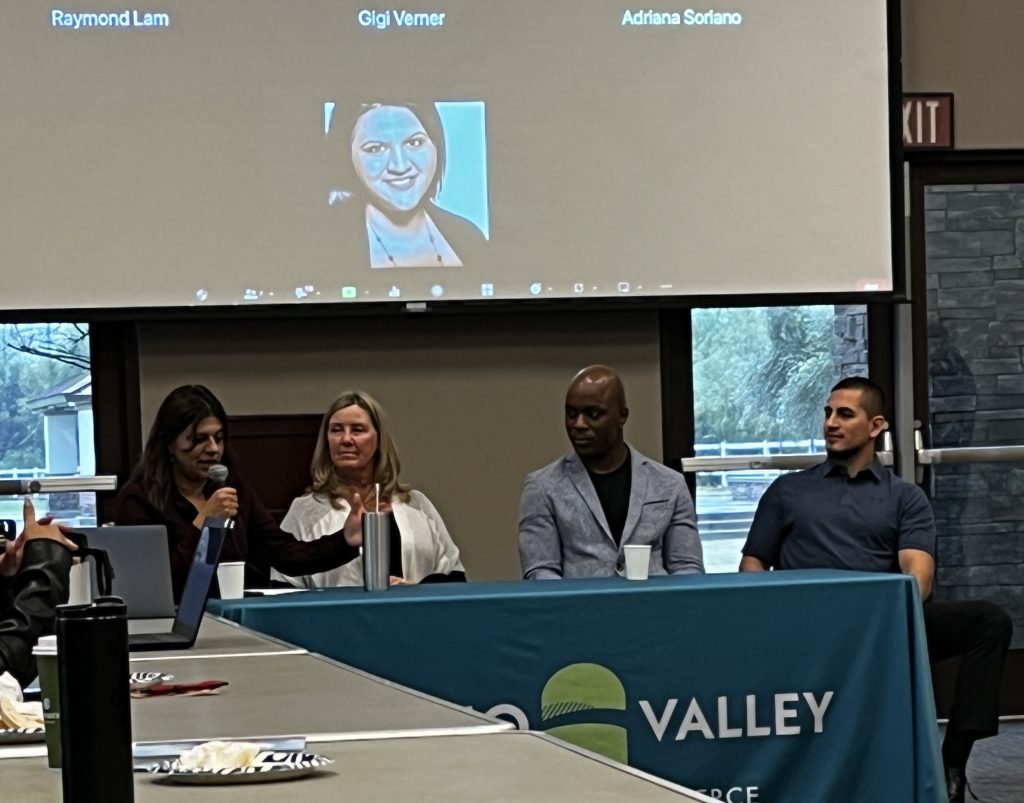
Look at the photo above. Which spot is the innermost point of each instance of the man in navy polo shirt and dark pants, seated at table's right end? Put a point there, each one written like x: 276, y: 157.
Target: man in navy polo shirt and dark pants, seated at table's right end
x: 852, y: 514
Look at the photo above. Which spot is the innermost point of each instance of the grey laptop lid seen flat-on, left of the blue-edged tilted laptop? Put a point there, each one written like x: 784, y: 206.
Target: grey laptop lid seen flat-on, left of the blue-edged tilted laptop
x: 142, y: 568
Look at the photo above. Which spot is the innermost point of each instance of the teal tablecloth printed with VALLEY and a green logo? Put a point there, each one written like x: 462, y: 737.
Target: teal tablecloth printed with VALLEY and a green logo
x: 761, y: 689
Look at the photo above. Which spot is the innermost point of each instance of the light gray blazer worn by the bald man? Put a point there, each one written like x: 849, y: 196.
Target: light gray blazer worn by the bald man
x: 564, y: 532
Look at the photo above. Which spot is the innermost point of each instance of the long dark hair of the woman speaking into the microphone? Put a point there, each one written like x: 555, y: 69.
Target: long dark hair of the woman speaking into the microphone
x: 184, y: 409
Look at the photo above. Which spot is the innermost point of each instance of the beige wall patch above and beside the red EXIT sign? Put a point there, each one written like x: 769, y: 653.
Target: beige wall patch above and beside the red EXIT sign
x: 972, y: 50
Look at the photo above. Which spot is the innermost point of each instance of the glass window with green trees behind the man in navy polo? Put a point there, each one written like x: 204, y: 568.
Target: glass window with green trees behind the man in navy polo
x: 759, y: 379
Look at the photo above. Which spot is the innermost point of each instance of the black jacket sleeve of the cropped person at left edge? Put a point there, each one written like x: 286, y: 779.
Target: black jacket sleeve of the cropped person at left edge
x: 30, y: 602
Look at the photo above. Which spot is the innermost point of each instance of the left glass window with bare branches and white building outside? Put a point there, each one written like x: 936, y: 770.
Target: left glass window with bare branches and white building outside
x: 47, y: 415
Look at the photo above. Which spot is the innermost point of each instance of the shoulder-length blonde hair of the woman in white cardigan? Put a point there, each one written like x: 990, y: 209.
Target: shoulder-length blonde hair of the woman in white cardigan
x: 387, y: 464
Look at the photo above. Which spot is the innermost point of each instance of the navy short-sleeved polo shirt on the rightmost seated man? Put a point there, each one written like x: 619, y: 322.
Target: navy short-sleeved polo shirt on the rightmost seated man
x: 824, y: 519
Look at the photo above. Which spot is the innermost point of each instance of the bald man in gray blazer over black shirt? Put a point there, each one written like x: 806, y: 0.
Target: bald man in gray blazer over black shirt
x: 577, y: 514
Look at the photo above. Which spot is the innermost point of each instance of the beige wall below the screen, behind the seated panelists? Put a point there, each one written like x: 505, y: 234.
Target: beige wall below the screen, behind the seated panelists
x: 476, y: 402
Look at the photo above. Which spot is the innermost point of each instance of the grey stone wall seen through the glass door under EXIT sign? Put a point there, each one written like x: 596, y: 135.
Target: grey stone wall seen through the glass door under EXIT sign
x: 975, y: 275
